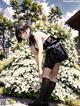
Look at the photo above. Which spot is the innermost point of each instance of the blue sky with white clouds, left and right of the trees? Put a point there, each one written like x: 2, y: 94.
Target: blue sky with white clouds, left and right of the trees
x: 68, y: 7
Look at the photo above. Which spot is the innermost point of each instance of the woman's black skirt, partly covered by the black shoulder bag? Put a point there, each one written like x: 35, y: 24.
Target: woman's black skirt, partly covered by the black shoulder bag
x: 49, y: 53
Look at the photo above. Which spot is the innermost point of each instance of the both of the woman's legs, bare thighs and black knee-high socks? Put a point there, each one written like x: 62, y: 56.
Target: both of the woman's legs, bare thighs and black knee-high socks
x: 48, y: 82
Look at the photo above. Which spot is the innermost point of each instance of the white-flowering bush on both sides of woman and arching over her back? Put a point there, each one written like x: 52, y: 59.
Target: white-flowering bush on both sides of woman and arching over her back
x: 21, y: 76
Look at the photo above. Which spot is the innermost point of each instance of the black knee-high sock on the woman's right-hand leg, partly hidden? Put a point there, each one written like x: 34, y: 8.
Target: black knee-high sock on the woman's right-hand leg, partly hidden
x: 50, y: 90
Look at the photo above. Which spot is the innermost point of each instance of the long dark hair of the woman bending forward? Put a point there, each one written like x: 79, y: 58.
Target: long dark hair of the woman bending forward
x: 20, y: 29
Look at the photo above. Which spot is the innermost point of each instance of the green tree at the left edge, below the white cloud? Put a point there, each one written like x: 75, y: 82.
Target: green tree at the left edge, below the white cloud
x: 6, y: 27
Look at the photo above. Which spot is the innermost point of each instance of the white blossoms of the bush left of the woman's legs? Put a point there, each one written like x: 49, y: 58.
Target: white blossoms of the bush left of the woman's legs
x: 22, y: 73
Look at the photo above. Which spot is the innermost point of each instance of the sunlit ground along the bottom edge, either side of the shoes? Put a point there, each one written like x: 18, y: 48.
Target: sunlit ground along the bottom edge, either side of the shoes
x: 12, y: 101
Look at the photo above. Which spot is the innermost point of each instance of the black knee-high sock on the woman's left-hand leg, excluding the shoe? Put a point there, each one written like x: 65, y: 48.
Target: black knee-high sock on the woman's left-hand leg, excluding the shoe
x: 44, y: 88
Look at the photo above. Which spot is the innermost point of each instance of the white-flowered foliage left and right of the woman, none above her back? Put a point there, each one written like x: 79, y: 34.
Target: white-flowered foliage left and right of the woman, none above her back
x: 21, y: 78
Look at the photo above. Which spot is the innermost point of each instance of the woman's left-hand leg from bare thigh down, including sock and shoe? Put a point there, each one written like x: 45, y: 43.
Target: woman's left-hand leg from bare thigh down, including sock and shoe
x: 41, y: 100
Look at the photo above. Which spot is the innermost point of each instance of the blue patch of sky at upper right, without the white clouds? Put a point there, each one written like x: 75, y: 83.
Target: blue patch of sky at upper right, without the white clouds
x: 65, y: 5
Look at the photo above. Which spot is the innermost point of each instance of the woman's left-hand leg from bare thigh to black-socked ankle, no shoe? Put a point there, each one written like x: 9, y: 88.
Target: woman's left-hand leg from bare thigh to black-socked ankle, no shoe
x: 45, y: 84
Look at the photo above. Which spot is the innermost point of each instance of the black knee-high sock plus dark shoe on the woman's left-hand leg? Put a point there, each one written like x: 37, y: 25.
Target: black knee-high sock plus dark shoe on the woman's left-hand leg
x: 40, y: 101
